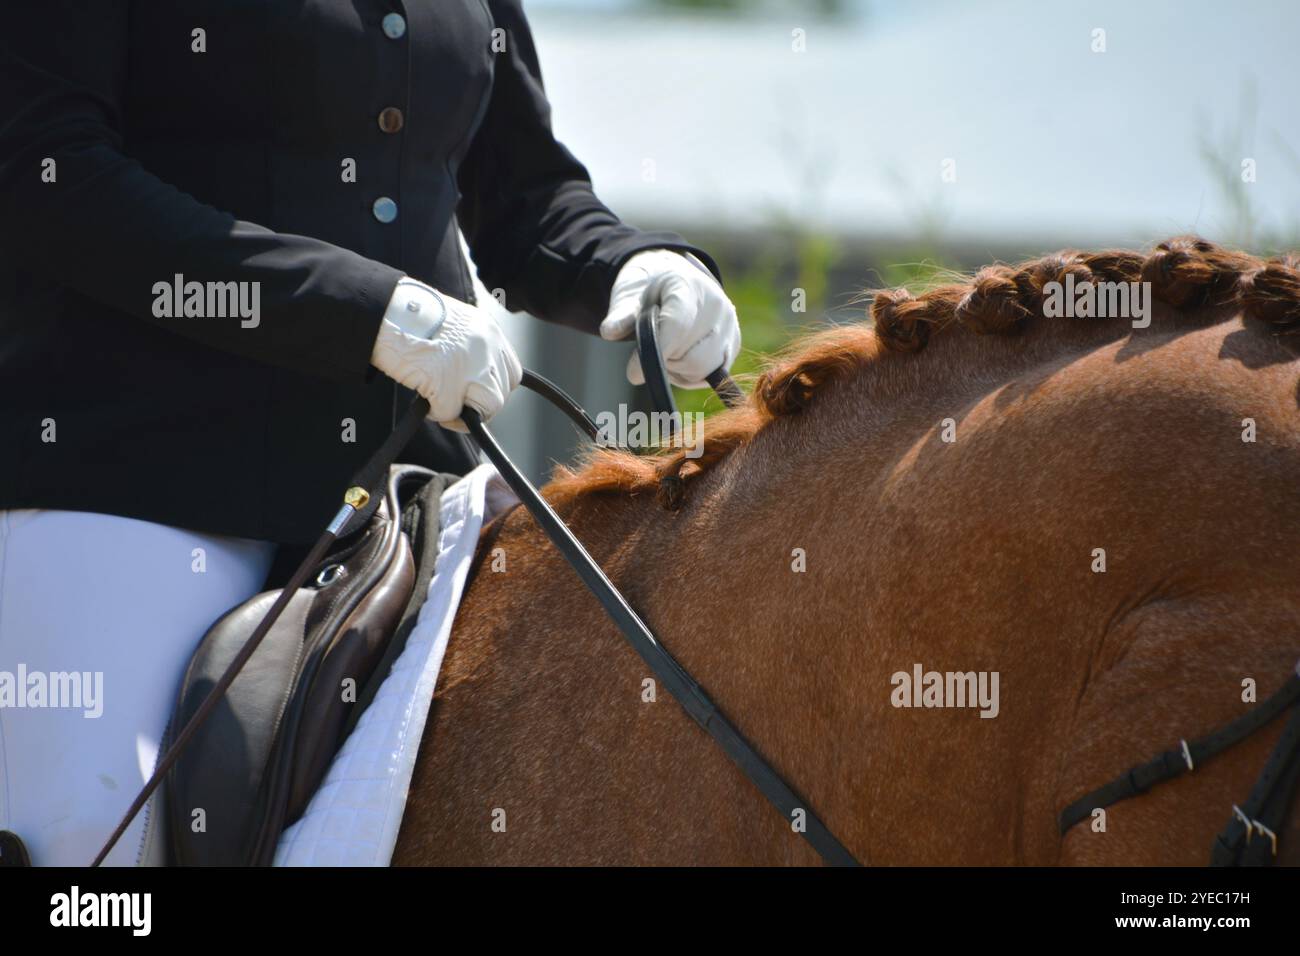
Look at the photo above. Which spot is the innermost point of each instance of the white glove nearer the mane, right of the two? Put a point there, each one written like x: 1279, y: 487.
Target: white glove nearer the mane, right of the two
x: 697, y: 323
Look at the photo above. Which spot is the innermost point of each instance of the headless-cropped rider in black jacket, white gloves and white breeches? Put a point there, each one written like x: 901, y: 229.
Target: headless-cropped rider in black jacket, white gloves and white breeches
x: 219, y: 224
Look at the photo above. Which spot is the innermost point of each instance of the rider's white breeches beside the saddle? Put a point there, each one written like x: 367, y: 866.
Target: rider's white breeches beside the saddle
x: 98, y: 618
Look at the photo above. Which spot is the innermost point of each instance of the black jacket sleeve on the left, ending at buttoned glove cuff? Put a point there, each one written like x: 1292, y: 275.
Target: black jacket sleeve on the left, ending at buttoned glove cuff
x: 111, y: 231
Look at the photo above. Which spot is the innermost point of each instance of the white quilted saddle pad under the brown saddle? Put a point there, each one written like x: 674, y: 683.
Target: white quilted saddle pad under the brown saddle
x: 354, y: 817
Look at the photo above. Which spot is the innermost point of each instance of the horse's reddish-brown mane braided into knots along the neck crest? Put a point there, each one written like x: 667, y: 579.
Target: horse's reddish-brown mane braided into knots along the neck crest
x: 1186, y: 274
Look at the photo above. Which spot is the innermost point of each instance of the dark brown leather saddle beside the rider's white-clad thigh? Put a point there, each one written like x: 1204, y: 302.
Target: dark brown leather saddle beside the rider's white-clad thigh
x: 254, y: 765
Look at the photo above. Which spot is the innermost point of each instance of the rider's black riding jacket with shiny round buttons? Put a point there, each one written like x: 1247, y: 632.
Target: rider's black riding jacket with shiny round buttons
x: 310, y: 150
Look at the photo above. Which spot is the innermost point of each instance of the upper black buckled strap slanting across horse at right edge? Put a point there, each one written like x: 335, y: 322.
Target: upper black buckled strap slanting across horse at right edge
x: 1176, y: 763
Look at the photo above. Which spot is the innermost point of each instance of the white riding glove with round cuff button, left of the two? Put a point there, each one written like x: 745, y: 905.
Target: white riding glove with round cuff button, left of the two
x: 449, y: 352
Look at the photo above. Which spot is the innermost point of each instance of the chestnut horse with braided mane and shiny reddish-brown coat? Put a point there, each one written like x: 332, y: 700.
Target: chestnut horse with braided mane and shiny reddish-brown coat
x: 1106, y: 517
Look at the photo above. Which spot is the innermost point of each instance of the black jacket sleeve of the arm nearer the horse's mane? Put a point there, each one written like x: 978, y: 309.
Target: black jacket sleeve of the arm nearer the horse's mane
x: 528, y: 211
